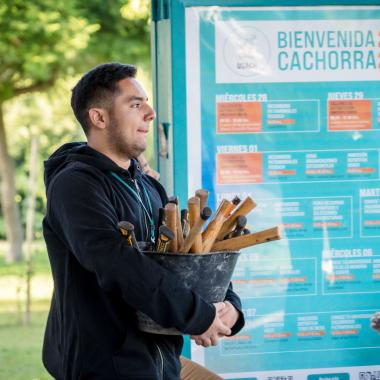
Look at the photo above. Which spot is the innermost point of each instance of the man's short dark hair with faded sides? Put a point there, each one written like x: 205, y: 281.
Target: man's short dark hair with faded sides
x: 97, y: 88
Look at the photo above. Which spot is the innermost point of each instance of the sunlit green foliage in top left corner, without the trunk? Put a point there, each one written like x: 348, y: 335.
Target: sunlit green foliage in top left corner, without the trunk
x: 39, y: 41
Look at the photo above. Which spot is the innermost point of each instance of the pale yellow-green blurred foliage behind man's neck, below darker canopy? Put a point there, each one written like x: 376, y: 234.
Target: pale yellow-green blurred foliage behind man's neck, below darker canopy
x: 47, y: 115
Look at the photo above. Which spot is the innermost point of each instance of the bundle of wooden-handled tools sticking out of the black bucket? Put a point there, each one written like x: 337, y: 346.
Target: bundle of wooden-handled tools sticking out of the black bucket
x: 182, y: 231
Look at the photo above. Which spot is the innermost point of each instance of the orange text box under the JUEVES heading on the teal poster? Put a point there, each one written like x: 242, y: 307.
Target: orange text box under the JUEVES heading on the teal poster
x: 348, y: 115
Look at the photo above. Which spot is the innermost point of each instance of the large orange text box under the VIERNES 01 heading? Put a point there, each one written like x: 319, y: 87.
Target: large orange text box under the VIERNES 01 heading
x: 236, y: 168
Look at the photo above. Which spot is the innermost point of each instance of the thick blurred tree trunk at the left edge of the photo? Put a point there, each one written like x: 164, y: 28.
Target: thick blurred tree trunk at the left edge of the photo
x: 10, y: 208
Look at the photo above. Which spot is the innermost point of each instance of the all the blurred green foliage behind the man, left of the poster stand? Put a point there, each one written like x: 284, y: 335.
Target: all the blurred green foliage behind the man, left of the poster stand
x: 45, y: 46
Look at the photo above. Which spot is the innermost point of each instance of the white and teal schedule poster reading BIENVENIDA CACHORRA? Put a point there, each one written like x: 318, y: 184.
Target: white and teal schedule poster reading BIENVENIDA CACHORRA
x: 283, y: 105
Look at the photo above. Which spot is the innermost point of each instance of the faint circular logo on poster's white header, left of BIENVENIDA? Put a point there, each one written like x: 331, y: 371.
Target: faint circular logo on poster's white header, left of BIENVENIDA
x: 246, y: 51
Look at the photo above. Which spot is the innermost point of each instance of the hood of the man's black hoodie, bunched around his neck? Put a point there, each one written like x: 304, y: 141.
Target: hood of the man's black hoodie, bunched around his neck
x: 81, y: 152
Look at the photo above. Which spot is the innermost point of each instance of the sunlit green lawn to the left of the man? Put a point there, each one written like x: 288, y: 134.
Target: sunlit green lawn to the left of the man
x: 20, y: 346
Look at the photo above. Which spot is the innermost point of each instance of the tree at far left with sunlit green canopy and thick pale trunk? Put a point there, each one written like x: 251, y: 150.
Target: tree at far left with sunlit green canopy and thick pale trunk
x: 38, y: 42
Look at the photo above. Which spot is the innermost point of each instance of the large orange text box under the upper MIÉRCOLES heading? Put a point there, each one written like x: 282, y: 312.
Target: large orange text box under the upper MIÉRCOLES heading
x: 238, y: 117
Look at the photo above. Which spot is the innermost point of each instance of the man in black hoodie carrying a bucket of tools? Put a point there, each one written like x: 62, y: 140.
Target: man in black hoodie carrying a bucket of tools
x: 100, y: 281
